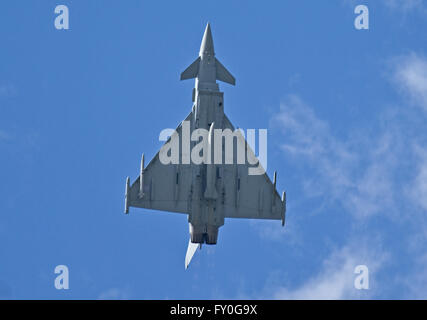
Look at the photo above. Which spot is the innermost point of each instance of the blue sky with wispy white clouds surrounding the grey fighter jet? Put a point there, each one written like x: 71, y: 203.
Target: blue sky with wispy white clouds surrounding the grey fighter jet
x: 346, y: 111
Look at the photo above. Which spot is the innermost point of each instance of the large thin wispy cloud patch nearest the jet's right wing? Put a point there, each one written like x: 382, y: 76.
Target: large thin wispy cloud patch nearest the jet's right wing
x: 356, y: 172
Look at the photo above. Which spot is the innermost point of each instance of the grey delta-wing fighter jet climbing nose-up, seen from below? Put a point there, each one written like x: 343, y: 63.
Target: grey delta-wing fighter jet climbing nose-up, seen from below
x: 226, y: 181
